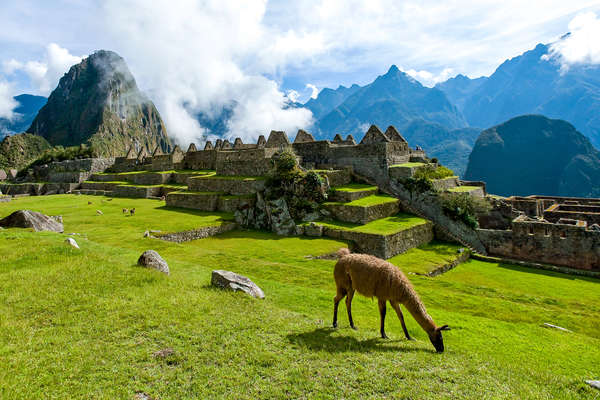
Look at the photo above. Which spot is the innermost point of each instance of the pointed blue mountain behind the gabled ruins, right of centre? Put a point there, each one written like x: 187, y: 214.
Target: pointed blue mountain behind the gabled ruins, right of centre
x: 392, y: 99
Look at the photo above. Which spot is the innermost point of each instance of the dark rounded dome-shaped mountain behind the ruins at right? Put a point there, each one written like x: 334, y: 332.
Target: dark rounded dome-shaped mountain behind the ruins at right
x: 533, y: 154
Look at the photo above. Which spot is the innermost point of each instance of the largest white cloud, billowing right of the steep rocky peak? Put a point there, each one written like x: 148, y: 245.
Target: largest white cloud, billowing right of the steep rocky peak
x: 202, y: 57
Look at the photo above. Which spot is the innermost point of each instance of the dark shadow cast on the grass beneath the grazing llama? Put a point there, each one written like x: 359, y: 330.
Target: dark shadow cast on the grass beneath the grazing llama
x: 321, y: 339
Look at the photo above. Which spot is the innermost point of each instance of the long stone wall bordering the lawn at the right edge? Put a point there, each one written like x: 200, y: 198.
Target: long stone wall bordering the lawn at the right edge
x: 558, y: 244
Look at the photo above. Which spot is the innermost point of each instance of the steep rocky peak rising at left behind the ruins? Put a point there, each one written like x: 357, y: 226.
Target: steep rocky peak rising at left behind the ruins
x: 98, y: 103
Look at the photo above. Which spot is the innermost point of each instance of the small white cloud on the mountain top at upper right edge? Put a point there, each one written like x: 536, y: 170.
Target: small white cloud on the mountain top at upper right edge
x: 582, y: 45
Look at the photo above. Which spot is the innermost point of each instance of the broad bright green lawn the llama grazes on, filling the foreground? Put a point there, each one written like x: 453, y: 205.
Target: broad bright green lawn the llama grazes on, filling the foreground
x: 86, y: 323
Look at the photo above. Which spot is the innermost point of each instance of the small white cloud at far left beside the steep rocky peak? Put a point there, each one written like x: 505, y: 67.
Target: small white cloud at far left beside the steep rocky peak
x: 45, y: 74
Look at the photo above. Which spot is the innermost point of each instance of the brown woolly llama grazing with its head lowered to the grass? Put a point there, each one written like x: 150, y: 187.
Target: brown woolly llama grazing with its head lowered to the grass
x: 371, y: 276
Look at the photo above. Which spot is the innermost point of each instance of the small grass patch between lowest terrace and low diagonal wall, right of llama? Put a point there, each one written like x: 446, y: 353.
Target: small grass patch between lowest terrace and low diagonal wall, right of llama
x: 426, y: 258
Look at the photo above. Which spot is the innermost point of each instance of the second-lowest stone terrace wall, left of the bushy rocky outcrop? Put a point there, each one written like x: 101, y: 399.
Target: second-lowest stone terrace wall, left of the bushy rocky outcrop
x: 230, y: 185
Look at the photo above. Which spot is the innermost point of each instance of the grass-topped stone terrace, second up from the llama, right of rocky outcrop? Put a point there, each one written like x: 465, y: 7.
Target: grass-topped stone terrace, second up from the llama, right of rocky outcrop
x: 364, y: 210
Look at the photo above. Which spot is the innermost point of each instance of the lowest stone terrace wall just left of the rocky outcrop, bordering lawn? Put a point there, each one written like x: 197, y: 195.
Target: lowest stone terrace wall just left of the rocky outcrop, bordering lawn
x: 209, y: 201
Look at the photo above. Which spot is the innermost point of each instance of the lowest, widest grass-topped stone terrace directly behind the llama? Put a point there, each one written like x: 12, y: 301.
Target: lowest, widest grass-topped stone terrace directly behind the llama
x: 384, y: 238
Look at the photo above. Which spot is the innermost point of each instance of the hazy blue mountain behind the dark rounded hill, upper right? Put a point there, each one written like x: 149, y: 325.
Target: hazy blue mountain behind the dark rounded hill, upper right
x: 532, y: 83
